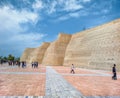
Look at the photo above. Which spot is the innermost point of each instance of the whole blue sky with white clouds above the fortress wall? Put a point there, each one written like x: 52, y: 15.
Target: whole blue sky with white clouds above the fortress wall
x: 28, y: 23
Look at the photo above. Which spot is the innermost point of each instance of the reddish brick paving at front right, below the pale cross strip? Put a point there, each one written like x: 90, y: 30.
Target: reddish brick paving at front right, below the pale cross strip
x: 95, y: 86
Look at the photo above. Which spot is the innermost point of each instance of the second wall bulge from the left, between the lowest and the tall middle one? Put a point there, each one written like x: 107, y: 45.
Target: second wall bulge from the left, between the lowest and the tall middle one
x: 38, y: 53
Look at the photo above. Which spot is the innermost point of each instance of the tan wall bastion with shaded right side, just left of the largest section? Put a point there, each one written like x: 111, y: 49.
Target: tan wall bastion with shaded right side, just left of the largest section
x: 56, y: 51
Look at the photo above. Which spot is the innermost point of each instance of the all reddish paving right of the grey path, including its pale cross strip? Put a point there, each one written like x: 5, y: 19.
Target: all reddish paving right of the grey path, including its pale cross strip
x: 92, y: 83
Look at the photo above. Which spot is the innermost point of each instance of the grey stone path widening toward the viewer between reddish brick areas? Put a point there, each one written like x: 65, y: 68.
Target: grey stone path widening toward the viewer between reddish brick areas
x: 57, y: 87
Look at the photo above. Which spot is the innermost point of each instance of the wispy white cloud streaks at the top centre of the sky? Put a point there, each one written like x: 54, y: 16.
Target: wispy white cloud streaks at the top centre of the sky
x: 62, y: 5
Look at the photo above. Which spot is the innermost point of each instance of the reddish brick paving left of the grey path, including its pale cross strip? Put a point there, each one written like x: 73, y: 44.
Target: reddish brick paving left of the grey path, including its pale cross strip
x: 25, y: 82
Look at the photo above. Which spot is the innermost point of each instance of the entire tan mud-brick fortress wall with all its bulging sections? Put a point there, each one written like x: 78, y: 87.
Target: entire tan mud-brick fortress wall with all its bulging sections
x: 97, y: 48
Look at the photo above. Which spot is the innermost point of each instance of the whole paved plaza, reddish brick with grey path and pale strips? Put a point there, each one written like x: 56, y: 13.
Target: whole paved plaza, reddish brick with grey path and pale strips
x: 57, y: 82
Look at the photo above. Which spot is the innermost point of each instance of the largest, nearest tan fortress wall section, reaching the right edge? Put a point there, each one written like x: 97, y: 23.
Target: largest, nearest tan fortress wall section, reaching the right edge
x: 97, y: 48
